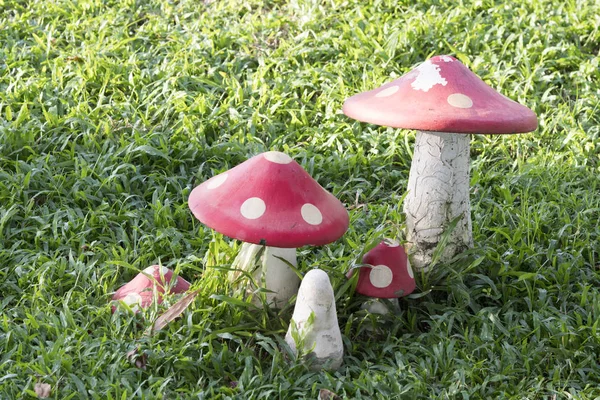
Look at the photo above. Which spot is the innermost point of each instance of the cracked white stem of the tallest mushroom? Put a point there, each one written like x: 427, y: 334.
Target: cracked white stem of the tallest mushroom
x: 438, y: 192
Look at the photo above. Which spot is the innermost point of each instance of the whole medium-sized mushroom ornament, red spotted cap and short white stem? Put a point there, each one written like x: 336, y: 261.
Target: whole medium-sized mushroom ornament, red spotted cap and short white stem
x: 273, y: 205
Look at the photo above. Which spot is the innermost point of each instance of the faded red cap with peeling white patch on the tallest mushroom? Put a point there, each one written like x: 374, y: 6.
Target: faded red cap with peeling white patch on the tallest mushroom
x: 441, y: 95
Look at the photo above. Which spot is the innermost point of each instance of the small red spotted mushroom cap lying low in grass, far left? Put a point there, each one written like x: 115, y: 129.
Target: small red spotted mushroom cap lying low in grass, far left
x: 140, y: 291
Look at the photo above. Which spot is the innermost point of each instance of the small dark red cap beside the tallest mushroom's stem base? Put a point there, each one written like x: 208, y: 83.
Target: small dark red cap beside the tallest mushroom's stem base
x: 390, y: 275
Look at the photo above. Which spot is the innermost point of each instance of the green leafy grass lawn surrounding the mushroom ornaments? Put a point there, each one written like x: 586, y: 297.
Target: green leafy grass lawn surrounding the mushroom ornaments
x: 111, y: 112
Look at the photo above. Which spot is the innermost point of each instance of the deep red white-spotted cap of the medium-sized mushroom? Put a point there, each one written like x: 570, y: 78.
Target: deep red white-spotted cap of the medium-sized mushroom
x: 269, y: 199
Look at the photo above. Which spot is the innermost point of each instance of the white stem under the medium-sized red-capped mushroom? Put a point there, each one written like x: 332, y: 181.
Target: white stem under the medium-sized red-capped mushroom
x: 270, y: 271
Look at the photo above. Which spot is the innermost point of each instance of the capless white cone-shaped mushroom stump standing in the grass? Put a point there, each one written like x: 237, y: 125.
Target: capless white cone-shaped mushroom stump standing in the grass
x: 314, y: 325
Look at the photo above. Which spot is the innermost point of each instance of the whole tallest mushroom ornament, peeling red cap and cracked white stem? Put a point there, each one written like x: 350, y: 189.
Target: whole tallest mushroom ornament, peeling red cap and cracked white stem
x: 444, y: 101
